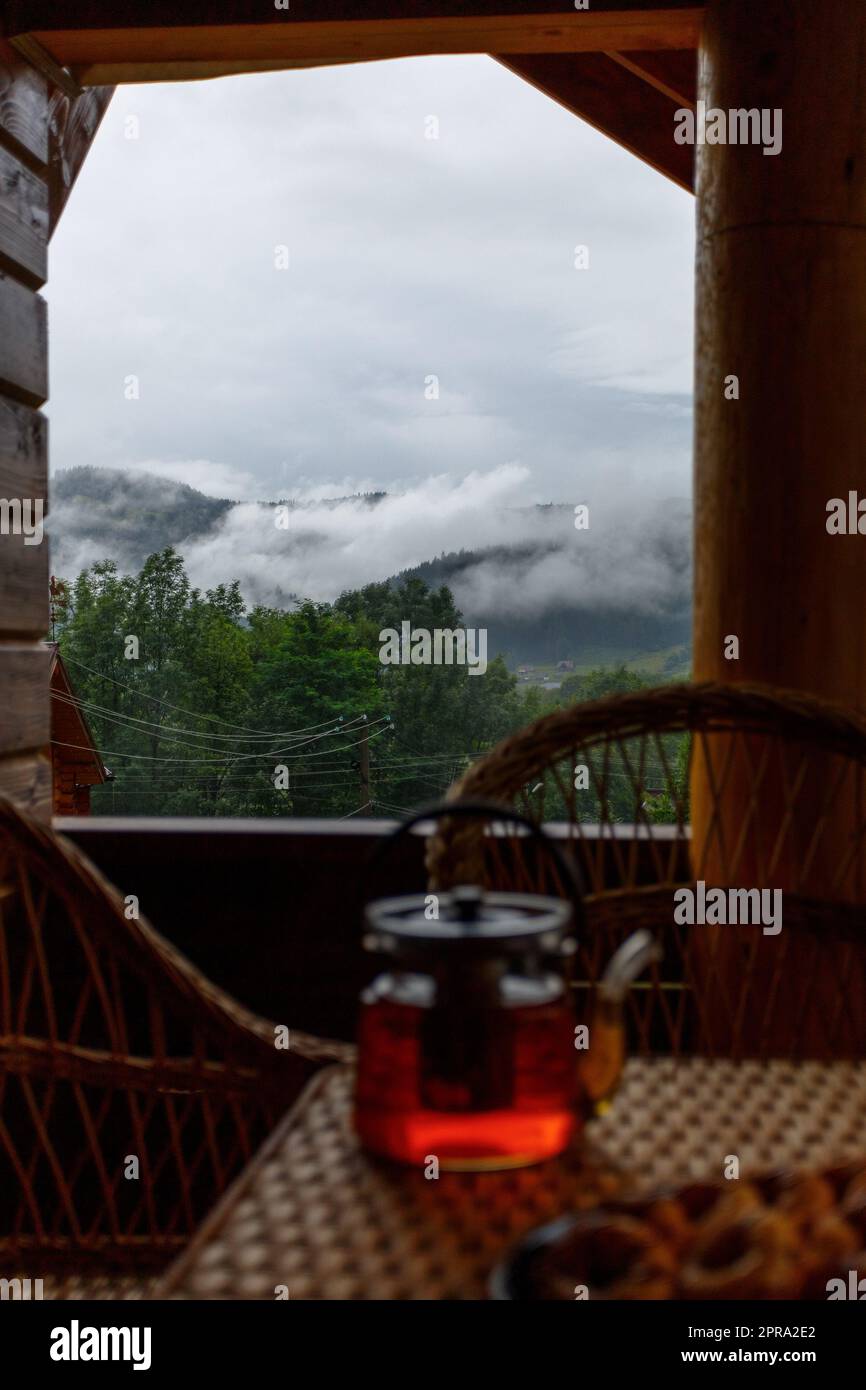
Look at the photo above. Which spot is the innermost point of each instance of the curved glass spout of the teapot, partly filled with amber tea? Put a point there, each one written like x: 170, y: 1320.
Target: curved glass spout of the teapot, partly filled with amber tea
x: 601, y: 1065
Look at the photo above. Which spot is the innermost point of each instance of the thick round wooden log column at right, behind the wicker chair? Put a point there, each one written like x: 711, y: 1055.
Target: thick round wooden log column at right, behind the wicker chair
x: 782, y: 308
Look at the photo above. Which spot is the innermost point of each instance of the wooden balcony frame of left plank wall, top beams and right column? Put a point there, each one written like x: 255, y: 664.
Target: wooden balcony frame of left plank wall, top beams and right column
x: 781, y: 277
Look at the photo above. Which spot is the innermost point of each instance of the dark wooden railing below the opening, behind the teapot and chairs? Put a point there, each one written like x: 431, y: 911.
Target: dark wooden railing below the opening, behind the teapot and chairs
x: 270, y: 910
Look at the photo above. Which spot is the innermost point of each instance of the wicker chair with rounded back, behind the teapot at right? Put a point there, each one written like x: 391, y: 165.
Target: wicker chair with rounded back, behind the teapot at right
x: 719, y: 992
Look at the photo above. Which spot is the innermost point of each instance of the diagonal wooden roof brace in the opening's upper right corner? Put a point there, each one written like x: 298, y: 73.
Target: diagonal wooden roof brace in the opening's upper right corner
x: 615, y: 102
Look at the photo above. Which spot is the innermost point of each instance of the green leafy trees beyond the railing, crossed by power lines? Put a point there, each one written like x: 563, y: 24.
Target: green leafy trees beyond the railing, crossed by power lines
x: 204, y: 707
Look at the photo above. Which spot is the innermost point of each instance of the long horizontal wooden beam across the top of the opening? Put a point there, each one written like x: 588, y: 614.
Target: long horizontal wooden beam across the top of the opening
x: 111, y: 42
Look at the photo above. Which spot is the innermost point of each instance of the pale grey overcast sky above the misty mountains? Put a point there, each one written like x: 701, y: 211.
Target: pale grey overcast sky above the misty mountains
x: 408, y: 258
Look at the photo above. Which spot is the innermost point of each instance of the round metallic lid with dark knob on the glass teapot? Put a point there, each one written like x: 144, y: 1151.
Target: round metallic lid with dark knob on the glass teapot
x: 469, y: 919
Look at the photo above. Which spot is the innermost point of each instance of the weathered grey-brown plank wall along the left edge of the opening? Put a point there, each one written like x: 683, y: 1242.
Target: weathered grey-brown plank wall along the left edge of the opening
x: 26, y: 772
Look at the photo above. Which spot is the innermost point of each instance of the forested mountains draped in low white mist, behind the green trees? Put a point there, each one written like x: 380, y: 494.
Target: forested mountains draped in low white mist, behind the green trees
x: 544, y: 590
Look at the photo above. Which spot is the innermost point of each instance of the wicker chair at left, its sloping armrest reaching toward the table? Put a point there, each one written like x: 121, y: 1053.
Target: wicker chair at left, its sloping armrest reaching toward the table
x: 131, y: 1089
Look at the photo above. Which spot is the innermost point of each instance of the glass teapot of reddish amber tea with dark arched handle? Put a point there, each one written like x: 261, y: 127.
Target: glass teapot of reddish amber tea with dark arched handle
x: 469, y: 1050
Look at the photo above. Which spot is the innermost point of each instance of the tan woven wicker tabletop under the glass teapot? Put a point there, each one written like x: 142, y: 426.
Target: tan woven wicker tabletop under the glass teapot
x: 318, y: 1216
